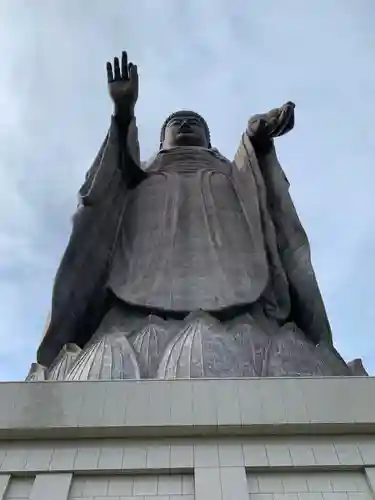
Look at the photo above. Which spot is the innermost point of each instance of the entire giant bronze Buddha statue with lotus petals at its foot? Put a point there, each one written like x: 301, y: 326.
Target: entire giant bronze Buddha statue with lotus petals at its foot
x: 191, y: 265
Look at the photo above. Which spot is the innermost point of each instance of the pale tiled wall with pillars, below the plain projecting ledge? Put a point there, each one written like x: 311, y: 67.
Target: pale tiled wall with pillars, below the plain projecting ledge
x: 237, y: 468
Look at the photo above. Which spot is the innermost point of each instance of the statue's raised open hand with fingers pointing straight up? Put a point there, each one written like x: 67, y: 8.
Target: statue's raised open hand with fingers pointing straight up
x: 122, y: 82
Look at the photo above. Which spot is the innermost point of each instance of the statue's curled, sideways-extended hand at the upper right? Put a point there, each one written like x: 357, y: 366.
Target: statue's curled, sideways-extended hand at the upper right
x: 263, y: 128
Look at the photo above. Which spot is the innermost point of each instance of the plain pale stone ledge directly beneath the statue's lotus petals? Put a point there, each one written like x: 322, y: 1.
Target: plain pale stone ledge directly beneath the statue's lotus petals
x: 184, y: 408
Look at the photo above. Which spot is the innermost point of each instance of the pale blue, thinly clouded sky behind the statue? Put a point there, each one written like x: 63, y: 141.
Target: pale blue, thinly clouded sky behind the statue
x: 225, y: 60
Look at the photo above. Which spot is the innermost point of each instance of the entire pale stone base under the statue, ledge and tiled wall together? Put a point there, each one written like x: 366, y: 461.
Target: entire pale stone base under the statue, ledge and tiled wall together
x: 256, y: 439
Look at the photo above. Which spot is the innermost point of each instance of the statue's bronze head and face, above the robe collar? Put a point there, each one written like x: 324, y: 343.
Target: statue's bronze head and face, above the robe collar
x: 185, y: 130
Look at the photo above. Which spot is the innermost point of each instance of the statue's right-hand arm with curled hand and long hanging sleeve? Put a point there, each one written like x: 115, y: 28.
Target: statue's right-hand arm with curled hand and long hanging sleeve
x: 257, y: 155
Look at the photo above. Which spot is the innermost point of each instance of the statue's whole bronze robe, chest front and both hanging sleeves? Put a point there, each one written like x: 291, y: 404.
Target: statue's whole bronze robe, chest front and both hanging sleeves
x: 270, y: 260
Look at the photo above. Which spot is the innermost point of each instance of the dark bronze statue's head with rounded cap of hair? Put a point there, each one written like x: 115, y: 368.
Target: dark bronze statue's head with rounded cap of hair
x: 184, y: 128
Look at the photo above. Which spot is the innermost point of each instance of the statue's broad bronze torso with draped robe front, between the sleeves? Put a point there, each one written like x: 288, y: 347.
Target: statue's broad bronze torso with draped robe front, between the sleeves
x: 185, y: 242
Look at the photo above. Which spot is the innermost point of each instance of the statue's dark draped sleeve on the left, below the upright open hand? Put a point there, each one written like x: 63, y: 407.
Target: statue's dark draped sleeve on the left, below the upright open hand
x: 79, y: 290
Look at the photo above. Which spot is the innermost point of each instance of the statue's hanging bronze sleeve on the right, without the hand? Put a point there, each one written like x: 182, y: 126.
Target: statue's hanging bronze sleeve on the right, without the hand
x: 307, y: 308
